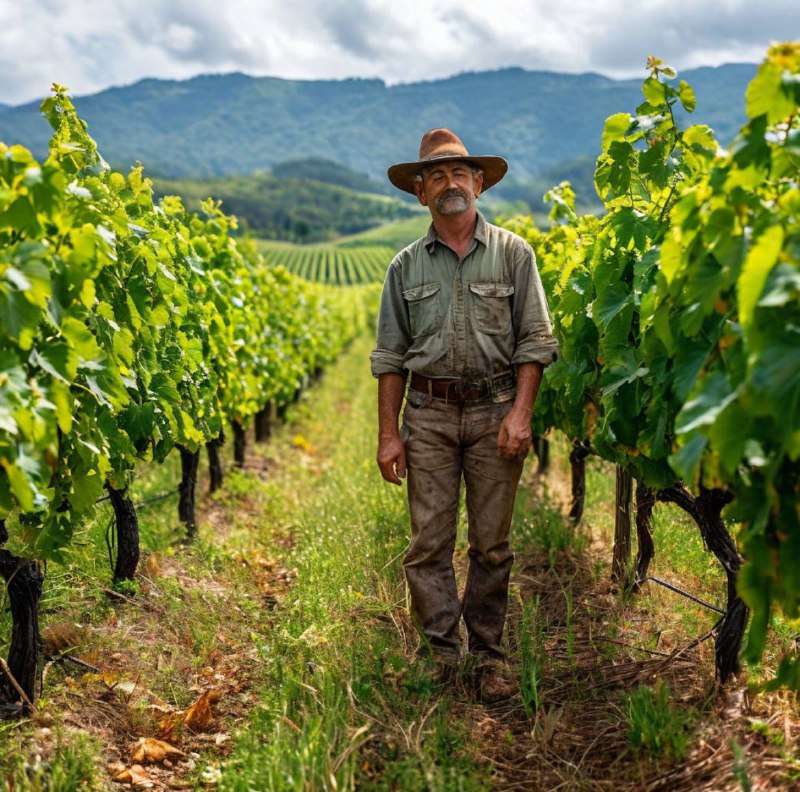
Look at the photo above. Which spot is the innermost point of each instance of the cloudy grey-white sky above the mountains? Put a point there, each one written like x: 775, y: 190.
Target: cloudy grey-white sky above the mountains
x: 89, y: 45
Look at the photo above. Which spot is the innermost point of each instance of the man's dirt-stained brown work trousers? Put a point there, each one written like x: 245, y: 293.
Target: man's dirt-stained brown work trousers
x: 444, y: 442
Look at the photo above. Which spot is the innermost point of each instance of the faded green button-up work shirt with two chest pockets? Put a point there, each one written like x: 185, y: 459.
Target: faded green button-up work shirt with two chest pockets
x: 466, y: 319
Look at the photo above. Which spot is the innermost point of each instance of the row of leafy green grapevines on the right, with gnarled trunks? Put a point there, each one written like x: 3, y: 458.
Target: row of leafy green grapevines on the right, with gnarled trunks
x: 678, y: 313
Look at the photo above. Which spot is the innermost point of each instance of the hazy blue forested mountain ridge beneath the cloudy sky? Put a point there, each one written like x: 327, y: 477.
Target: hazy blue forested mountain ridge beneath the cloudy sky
x: 216, y: 125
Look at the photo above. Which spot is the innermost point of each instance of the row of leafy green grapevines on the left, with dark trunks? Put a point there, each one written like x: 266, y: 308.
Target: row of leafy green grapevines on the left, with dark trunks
x: 128, y: 329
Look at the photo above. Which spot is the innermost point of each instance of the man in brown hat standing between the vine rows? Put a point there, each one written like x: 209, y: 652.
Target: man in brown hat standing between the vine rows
x: 462, y: 311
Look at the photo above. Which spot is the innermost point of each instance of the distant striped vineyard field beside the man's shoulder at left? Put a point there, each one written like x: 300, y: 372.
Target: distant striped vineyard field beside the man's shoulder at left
x: 330, y: 264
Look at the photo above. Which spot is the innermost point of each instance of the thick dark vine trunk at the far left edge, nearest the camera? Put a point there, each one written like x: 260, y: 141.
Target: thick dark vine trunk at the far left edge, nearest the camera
x: 24, y: 585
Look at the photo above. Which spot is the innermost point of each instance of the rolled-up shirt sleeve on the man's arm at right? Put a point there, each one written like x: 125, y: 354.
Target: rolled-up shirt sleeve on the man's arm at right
x: 533, y: 328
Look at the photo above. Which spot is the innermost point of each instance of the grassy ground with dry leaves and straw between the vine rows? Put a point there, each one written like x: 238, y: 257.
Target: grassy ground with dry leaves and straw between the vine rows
x: 292, y: 608
